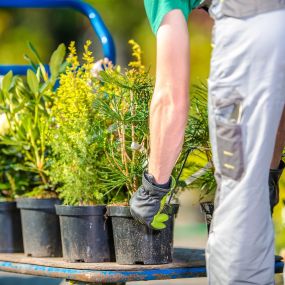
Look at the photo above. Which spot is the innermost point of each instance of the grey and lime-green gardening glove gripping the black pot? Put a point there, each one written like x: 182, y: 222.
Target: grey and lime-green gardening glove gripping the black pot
x: 148, y: 203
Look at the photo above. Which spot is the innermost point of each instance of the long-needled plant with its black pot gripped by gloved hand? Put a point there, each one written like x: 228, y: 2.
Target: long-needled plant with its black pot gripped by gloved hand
x: 122, y: 103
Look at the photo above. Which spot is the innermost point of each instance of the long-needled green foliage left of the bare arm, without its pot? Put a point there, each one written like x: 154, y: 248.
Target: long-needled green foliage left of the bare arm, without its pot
x: 122, y: 105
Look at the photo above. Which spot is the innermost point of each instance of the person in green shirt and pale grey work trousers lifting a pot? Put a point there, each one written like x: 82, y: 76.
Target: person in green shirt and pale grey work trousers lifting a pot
x: 246, y: 114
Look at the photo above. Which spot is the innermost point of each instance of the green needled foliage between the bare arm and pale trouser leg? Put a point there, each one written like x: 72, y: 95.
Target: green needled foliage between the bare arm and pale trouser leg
x: 198, y: 171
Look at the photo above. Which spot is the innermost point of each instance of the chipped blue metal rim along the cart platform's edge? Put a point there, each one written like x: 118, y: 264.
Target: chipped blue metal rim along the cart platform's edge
x: 84, y: 276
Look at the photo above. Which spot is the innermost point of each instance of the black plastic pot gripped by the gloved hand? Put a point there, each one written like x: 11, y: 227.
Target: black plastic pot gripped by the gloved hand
x: 137, y: 244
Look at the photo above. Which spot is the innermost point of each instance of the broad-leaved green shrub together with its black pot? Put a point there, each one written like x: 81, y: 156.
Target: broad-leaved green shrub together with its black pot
x: 26, y: 105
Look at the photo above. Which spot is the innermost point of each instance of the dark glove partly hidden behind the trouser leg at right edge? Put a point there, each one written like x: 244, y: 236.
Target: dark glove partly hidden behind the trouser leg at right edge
x: 274, y: 176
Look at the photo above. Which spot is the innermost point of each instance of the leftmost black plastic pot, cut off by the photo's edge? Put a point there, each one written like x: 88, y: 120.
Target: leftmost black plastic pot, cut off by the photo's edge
x: 11, y: 240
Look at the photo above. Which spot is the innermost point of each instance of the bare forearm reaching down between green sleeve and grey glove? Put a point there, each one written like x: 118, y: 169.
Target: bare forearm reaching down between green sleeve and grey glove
x: 170, y: 103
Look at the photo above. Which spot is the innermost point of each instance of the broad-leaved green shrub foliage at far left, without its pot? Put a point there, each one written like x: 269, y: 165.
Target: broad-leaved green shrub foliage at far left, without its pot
x: 26, y: 105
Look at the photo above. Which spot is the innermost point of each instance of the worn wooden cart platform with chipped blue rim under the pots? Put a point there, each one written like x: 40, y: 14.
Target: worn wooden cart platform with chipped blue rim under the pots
x: 188, y: 263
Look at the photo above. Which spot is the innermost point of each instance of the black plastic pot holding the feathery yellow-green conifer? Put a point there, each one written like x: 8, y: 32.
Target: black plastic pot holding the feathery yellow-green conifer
x: 86, y: 234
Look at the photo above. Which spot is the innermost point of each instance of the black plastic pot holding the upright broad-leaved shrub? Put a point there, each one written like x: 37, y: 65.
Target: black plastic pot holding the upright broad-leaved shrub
x: 40, y: 225
